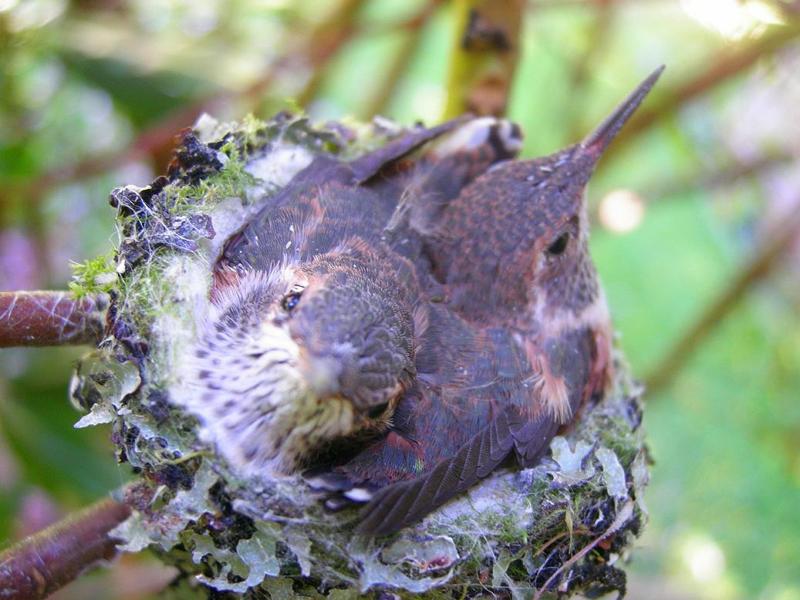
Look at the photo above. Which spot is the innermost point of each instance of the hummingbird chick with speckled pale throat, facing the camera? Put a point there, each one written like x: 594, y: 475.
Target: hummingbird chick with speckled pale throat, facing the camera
x: 311, y: 334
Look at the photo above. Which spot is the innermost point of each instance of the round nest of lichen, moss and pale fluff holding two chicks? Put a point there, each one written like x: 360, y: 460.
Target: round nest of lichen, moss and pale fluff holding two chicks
x: 559, y: 528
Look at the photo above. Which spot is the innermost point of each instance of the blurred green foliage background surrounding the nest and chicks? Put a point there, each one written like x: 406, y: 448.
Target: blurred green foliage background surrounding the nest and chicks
x: 93, y: 91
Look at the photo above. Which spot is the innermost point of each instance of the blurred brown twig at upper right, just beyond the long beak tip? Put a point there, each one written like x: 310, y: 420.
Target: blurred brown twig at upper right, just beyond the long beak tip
x: 728, y: 65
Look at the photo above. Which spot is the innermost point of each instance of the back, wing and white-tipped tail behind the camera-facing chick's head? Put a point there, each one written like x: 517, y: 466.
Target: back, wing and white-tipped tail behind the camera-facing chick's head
x: 331, y: 200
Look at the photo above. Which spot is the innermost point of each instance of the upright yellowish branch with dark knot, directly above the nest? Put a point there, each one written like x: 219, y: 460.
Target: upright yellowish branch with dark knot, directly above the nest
x: 484, y: 55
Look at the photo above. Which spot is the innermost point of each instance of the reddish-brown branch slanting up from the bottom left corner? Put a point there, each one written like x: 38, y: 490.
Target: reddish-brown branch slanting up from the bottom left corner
x: 44, y: 562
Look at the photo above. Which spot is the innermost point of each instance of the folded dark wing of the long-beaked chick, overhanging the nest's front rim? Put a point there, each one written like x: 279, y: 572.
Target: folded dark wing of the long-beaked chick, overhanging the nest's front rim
x: 522, y: 426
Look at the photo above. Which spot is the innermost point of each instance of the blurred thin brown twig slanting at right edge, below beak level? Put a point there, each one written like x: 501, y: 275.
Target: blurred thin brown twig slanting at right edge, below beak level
x: 766, y: 258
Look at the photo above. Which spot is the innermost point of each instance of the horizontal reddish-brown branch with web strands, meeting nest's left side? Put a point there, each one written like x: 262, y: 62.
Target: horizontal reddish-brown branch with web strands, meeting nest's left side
x: 50, y: 319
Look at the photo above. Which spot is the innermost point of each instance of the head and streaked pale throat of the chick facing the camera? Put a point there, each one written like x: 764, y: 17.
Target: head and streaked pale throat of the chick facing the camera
x: 300, y: 355
